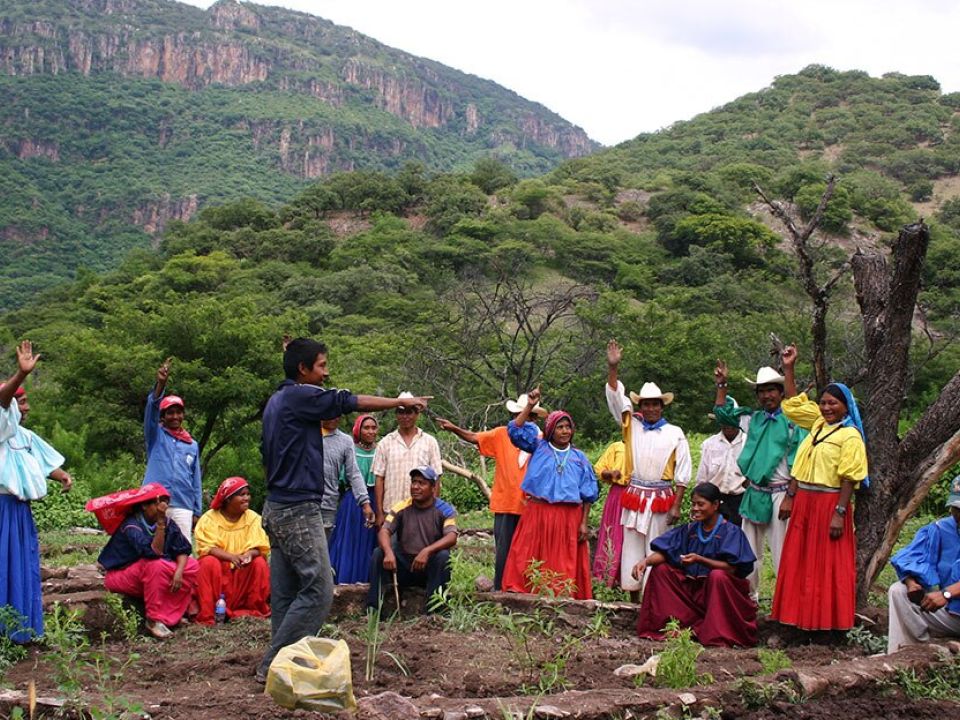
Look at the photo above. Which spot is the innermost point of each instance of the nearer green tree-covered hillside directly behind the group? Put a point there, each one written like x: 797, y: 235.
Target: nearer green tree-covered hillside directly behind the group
x: 475, y: 285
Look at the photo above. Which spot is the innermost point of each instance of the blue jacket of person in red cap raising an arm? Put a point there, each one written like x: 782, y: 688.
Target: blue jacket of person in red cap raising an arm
x: 170, y: 462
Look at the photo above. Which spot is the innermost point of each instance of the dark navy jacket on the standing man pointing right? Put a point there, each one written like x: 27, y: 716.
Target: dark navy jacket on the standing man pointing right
x: 292, y: 445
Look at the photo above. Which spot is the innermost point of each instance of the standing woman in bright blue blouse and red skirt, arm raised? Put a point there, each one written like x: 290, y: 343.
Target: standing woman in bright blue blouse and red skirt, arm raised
x: 550, y: 552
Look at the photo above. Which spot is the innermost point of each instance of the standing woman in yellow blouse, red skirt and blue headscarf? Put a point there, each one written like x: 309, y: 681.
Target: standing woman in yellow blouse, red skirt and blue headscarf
x: 816, y: 583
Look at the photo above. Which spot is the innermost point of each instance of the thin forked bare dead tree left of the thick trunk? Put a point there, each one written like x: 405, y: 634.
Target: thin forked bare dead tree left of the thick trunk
x: 819, y: 293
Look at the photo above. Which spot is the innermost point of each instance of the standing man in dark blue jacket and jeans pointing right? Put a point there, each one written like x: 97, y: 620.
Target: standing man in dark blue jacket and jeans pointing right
x: 301, y: 581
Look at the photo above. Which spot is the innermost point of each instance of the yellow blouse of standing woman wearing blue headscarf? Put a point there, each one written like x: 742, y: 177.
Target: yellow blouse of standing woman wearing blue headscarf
x: 830, y: 454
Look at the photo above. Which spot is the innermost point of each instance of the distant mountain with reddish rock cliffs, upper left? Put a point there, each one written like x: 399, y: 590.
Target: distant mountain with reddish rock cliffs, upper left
x: 118, y: 115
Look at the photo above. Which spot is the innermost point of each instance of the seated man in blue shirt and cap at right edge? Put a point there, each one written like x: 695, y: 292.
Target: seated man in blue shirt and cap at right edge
x: 925, y: 601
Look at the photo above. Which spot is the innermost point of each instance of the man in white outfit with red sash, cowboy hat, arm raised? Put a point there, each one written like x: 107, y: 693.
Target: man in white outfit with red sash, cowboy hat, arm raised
x: 657, y: 459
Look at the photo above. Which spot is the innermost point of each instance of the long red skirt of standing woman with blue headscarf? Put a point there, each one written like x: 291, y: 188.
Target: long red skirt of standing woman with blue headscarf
x: 817, y: 579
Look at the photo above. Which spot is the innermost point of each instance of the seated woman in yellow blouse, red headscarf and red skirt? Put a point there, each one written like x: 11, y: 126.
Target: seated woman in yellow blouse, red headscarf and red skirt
x: 233, y: 549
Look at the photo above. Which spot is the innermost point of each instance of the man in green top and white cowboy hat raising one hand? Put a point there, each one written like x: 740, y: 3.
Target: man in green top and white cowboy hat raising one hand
x: 765, y: 459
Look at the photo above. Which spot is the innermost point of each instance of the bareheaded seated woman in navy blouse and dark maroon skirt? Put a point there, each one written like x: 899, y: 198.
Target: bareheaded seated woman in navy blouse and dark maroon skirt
x: 698, y: 576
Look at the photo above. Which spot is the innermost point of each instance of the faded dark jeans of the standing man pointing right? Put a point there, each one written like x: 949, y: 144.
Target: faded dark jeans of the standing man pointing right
x: 301, y: 581
